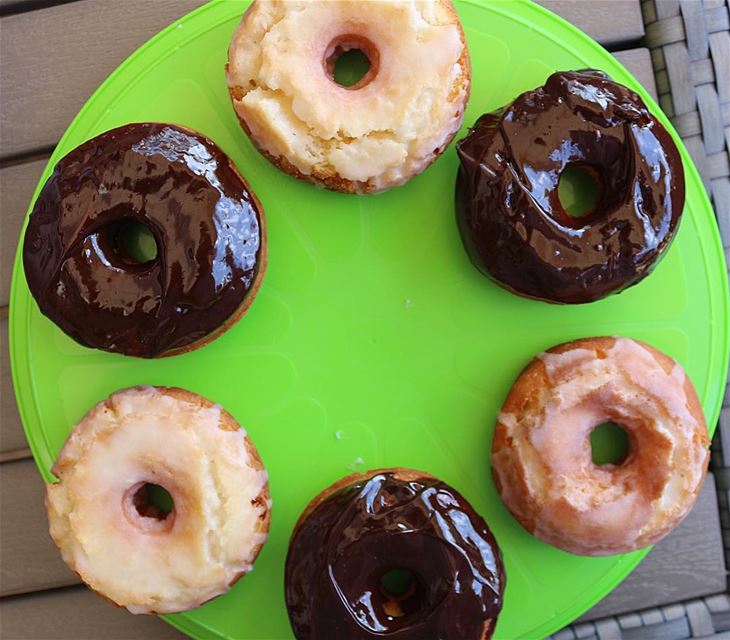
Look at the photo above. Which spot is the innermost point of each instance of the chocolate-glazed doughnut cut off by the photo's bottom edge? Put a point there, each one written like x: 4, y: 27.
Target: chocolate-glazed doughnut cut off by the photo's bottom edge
x: 363, y: 528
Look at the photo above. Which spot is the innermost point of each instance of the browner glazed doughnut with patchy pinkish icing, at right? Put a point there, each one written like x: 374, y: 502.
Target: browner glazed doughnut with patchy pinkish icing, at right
x: 541, y: 452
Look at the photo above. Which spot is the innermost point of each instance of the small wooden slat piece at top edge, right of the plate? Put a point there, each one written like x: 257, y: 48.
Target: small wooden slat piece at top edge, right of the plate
x: 610, y: 22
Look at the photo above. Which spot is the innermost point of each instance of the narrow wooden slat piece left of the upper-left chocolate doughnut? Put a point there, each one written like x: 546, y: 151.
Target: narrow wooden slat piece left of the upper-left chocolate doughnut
x: 17, y: 184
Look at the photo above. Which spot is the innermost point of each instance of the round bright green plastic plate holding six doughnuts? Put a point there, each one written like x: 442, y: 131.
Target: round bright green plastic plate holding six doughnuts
x: 374, y: 342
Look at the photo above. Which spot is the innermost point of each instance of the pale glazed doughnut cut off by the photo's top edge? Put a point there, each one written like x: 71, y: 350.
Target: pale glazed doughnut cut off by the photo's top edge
x: 374, y: 135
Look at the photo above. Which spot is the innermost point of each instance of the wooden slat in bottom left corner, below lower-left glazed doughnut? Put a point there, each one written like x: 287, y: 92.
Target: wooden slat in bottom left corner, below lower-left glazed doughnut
x: 76, y: 614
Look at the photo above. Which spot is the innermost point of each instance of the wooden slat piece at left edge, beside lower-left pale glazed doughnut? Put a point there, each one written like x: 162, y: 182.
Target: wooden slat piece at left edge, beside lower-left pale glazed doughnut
x: 30, y: 560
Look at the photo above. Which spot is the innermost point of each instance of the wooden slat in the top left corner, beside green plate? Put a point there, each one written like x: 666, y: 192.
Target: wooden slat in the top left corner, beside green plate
x: 52, y: 60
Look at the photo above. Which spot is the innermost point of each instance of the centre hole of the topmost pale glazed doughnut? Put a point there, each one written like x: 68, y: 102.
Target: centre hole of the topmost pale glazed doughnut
x: 351, y: 61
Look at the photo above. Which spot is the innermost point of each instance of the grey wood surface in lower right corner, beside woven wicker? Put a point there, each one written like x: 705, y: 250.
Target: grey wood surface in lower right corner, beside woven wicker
x: 689, y: 563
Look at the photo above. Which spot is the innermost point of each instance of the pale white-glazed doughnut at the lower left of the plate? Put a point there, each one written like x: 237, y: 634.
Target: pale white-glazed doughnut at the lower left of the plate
x: 120, y: 543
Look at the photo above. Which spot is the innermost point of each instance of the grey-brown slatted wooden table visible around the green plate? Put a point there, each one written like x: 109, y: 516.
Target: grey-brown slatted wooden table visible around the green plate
x: 53, y: 54
